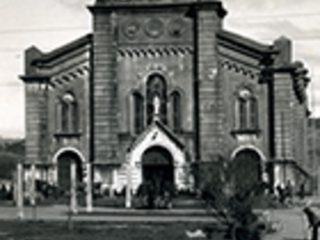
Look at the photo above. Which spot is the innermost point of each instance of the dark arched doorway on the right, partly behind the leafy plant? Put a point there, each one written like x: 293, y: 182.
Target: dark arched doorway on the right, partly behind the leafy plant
x: 246, y: 170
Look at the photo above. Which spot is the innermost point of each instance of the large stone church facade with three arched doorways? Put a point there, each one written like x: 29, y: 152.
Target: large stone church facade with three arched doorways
x: 158, y: 90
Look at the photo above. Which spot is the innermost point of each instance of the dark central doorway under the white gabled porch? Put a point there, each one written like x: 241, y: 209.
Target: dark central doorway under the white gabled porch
x: 157, y: 168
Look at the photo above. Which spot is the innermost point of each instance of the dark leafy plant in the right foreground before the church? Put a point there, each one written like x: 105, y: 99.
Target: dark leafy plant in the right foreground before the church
x: 233, y: 206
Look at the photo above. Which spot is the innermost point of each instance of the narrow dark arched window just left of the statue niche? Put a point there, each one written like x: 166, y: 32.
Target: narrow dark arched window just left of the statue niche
x: 138, y: 113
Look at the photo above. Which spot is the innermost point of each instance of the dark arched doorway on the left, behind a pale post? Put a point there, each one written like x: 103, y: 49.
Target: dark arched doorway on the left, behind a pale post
x: 64, y: 162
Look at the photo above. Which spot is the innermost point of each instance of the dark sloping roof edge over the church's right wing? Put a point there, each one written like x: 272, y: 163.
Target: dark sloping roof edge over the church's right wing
x: 244, y: 45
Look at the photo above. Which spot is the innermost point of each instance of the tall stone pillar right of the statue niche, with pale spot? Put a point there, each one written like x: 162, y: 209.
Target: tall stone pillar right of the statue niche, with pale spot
x: 210, y: 86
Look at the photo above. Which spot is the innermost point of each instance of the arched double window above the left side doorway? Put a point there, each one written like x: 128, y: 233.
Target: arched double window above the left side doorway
x: 69, y: 114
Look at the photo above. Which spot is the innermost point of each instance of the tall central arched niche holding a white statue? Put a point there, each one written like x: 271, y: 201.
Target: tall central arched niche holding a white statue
x: 156, y: 98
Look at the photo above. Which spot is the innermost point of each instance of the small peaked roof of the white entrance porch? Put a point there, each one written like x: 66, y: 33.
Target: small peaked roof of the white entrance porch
x: 161, y: 127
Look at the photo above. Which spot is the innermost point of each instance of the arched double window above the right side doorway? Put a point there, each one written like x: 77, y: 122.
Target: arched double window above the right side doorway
x: 247, y: 108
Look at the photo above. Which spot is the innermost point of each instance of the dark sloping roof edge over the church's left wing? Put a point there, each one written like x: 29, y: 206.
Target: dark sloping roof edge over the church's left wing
x: 74, y: 45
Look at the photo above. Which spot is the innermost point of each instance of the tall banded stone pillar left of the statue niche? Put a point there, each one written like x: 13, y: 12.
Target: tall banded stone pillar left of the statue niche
x: 105, y: 85
